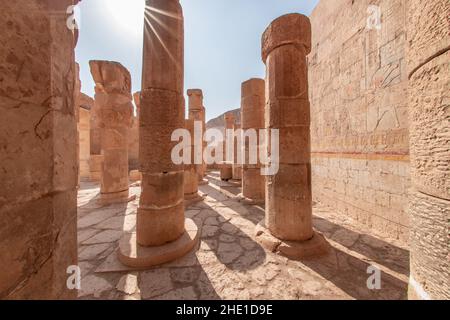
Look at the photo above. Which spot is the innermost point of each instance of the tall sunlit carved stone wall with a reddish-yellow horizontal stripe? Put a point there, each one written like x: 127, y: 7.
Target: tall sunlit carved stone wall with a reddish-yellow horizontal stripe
x: 358, y: 93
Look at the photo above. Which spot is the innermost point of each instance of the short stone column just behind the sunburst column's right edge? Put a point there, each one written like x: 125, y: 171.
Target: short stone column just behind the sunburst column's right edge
x: 190, y: 170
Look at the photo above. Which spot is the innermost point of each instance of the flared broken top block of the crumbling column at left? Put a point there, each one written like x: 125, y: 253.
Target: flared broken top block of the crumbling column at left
x: 110, y: 77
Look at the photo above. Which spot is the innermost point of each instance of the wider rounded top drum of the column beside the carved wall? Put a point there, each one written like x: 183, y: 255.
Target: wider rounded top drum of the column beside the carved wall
x: 293, y: 28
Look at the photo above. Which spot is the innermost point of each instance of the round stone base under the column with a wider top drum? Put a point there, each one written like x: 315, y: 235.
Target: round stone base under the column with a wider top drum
x: 295, y: 250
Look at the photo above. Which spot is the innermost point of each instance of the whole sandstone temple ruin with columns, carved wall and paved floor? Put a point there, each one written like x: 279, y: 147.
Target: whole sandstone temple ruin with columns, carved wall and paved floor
x: 94, y: 206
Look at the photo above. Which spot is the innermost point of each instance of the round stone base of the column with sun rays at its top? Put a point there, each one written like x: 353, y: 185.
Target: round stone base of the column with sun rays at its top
x: 131, y: 254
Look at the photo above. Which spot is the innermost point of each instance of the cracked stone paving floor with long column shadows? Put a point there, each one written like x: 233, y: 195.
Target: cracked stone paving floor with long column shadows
x: 229, y: 264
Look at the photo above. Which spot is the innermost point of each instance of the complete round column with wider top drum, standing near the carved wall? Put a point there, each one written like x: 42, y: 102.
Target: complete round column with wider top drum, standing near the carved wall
x: 285, y: 45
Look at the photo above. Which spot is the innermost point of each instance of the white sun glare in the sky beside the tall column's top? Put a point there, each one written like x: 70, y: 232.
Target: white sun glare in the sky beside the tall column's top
x: 128, y: 14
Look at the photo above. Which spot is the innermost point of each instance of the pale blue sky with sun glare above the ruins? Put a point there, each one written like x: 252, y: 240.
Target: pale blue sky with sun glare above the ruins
x: 222, y: 42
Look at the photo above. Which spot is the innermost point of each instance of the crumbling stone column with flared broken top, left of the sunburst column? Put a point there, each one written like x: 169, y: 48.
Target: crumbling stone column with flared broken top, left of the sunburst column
x: 113, y: 98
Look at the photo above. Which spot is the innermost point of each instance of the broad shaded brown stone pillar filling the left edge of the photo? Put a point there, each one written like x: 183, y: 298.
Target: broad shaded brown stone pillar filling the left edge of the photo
x: 38, y: 158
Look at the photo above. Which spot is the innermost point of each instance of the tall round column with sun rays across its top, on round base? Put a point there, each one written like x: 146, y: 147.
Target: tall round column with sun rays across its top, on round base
x: 163, y: 233
